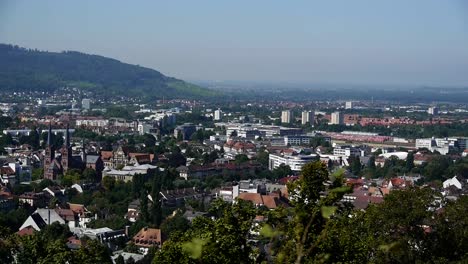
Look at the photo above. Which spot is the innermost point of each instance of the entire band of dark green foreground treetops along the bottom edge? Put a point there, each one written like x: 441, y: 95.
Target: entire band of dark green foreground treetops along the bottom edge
x: 408, y: 227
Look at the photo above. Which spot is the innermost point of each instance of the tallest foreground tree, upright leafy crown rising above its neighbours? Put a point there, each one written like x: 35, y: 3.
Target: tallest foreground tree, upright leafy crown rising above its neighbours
x: 308, y: 226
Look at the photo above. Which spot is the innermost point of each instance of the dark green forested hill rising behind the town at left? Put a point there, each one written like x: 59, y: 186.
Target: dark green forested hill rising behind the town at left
x: 32, y: 70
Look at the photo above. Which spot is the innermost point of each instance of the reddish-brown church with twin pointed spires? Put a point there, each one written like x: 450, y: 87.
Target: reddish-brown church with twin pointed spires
x: 58, y: 162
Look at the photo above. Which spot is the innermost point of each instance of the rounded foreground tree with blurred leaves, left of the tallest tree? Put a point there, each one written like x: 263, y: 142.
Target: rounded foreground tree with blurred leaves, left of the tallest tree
x: 222, y: 240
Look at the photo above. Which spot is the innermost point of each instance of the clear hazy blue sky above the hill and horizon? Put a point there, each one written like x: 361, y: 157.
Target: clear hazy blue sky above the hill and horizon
x: 417, y: 42
